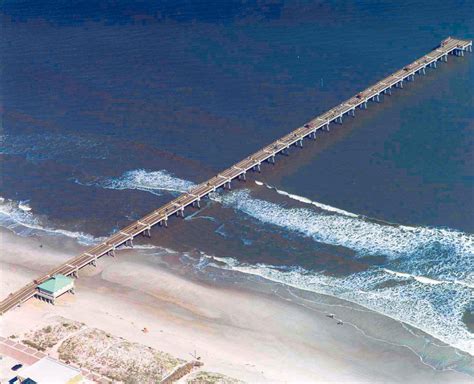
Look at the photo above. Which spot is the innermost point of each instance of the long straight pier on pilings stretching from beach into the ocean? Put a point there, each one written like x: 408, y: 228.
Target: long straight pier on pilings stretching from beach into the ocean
x: 160, y: 216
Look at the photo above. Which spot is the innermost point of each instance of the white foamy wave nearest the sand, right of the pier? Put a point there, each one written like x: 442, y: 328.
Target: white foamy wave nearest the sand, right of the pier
x: 436, y: 309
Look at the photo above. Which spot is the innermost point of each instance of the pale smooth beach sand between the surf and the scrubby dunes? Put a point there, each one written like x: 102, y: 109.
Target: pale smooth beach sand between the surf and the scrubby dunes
x: 256, y: 335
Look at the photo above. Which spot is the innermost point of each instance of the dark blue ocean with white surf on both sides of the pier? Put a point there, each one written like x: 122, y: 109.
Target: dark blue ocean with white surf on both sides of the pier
x: 108, y: 111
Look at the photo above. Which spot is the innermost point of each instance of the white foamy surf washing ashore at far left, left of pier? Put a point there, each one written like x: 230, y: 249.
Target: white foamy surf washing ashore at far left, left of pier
x: 19, y: 218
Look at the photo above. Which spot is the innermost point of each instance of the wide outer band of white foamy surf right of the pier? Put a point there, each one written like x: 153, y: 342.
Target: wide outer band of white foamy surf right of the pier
x: 431, y: 252
